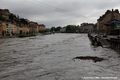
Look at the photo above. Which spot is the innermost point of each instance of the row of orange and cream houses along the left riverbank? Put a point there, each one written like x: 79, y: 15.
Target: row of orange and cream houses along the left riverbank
x: 12, y: 26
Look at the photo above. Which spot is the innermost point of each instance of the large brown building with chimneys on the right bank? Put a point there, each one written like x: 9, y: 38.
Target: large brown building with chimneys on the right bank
x: 106, y: 21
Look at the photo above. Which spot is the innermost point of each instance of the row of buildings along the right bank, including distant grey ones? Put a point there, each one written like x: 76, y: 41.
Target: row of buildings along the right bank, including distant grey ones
x: 108, y: 23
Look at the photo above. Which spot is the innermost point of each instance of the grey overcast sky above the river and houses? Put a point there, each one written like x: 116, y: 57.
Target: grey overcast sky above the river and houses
x: 60, y: 12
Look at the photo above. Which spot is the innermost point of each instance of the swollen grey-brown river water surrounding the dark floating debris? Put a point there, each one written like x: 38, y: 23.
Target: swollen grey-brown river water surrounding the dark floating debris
x: 50, y: 57
